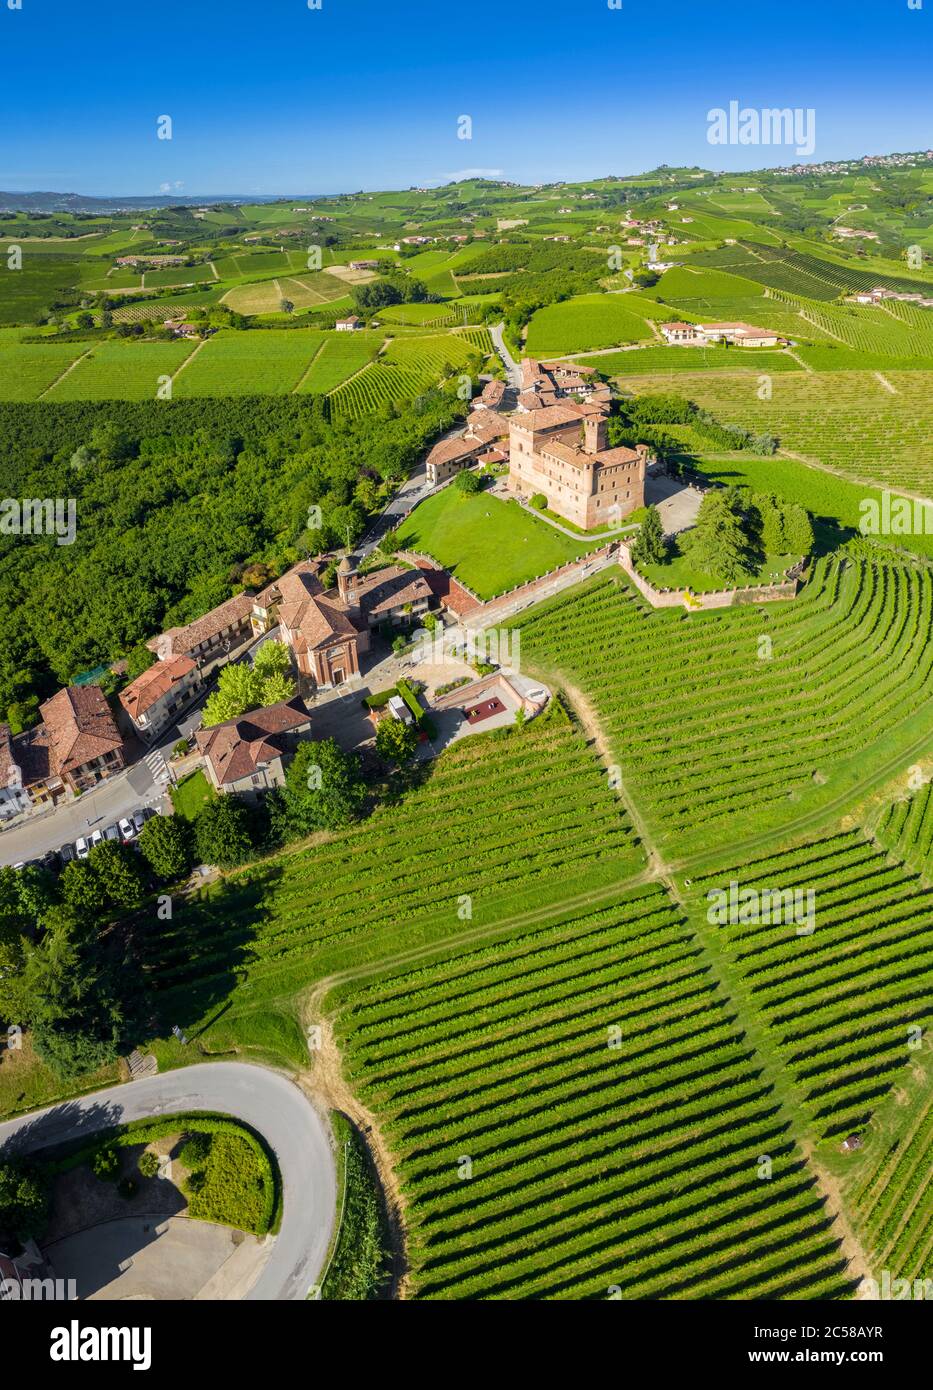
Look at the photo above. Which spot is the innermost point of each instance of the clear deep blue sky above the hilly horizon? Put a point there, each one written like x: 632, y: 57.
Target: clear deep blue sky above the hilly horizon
x: 269, y: 97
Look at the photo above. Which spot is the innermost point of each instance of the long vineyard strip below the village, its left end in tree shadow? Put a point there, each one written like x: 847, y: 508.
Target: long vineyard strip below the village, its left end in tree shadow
x: 401, y: 874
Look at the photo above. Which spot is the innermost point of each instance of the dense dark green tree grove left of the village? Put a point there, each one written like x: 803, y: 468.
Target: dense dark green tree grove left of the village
x: 176, y: 502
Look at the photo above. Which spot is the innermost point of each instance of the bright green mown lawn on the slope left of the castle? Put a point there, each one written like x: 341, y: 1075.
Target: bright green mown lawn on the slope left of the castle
x: 489, y: 544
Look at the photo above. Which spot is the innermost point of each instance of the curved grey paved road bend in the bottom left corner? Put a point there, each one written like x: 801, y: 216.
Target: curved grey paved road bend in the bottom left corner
x: 265, y: 1100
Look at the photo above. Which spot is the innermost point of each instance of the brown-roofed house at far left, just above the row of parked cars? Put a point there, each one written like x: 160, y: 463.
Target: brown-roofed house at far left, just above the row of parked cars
x: 84, y: 742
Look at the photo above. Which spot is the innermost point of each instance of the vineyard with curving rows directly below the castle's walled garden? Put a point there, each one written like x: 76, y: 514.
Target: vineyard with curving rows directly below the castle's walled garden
x: 765, y: 712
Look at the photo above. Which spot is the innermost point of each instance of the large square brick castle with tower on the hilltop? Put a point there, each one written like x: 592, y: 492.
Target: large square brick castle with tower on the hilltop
x: 562, y: 452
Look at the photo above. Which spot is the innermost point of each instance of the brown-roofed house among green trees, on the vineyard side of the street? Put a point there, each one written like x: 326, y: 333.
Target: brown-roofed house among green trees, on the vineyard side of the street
x: 248, y: 754
